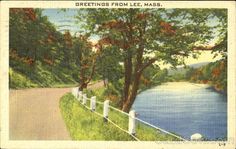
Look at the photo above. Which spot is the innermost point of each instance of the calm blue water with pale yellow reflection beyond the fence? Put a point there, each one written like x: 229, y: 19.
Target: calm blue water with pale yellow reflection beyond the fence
x: 184, y: 108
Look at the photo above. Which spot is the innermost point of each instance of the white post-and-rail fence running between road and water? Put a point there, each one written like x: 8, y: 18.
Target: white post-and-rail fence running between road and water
x: 131, y: 115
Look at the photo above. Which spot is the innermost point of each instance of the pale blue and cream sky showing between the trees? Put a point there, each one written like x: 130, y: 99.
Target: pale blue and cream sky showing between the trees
x: 65, y: 20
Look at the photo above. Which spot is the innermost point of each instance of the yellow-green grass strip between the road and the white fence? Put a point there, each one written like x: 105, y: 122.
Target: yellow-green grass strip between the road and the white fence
x: 85, y: 125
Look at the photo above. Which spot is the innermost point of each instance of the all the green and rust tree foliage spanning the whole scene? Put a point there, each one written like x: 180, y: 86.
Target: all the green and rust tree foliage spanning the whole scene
x: 130, y: 43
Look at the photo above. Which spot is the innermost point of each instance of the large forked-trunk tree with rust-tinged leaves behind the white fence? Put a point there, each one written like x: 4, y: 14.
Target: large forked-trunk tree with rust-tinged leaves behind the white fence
x: 146, y: 36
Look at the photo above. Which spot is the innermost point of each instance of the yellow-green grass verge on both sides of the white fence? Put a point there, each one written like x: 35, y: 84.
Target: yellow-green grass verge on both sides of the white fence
x: 84, y: 124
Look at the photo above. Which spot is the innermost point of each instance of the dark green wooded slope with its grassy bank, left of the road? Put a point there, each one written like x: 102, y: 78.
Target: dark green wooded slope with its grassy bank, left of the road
x: 40, y: 54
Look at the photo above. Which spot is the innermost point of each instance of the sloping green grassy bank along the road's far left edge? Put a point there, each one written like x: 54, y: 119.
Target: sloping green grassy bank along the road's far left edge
x: 40, y: 76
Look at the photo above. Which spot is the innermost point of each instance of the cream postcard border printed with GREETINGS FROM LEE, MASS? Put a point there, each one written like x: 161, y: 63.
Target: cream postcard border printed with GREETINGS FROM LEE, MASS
x: 4, y: 77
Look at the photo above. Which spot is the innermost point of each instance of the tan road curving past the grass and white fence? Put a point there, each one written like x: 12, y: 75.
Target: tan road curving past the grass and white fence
x: 35, y: 114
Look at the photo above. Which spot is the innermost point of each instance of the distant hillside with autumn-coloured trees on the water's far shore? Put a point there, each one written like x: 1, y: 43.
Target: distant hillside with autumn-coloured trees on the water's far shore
x: 213, y: 73
